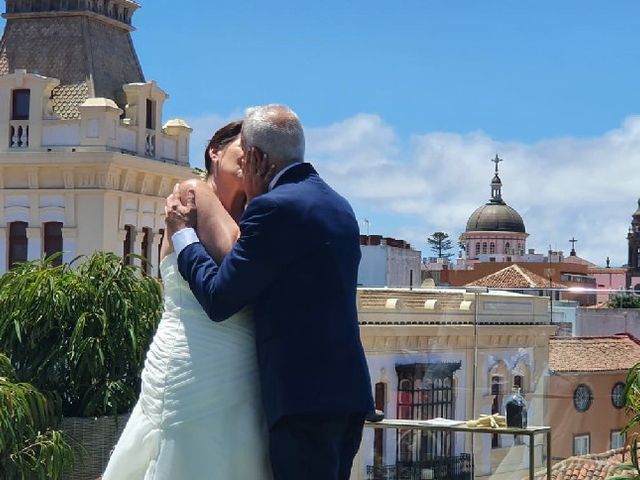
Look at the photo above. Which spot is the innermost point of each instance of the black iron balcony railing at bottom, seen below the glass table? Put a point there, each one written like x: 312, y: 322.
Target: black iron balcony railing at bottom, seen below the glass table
x: 441, y: 468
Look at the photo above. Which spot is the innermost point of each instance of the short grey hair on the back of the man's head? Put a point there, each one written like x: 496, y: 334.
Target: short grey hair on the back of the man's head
x: 276, y: 130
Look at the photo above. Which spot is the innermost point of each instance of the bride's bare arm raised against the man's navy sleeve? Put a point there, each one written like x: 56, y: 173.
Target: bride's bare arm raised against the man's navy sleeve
x: 217, y: 231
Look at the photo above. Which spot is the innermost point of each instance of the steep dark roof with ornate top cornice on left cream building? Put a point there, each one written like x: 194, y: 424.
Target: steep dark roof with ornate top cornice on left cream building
x: 86, y: 44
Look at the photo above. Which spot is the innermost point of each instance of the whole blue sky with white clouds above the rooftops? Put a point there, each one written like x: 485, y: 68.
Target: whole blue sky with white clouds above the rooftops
x: 406, y: 102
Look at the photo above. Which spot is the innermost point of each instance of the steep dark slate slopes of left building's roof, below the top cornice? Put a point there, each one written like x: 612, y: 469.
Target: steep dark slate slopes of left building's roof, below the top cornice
x: 89, y: 57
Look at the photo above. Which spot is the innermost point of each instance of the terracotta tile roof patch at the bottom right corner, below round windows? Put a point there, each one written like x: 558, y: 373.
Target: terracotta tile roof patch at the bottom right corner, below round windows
x: 588, y: 467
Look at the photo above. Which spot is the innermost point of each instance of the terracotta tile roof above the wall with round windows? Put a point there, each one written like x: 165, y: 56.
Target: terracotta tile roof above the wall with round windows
x: 593, y: 354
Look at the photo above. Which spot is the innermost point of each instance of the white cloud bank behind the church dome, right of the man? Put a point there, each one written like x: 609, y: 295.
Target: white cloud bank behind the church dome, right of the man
x: 563, y: 187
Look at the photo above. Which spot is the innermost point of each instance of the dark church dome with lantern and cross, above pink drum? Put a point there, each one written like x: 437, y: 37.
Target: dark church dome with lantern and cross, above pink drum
x: 495, y: 215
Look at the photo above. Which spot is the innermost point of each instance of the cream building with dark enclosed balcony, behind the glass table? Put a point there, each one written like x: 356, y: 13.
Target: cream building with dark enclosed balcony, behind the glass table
x: 452, y: 354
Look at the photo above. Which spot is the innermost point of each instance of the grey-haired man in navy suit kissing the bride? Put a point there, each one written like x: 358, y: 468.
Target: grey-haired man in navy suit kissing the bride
x: 296, y: 262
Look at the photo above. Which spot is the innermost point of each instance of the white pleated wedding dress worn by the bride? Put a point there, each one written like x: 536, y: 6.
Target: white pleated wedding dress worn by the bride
x: 199, y: 415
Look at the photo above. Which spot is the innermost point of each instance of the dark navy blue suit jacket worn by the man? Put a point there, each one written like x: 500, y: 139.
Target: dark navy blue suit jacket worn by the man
x: 296, y: 262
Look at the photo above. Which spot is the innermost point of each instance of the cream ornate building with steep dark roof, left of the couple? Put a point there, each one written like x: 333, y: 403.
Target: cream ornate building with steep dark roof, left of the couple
x: 85, y: 161
